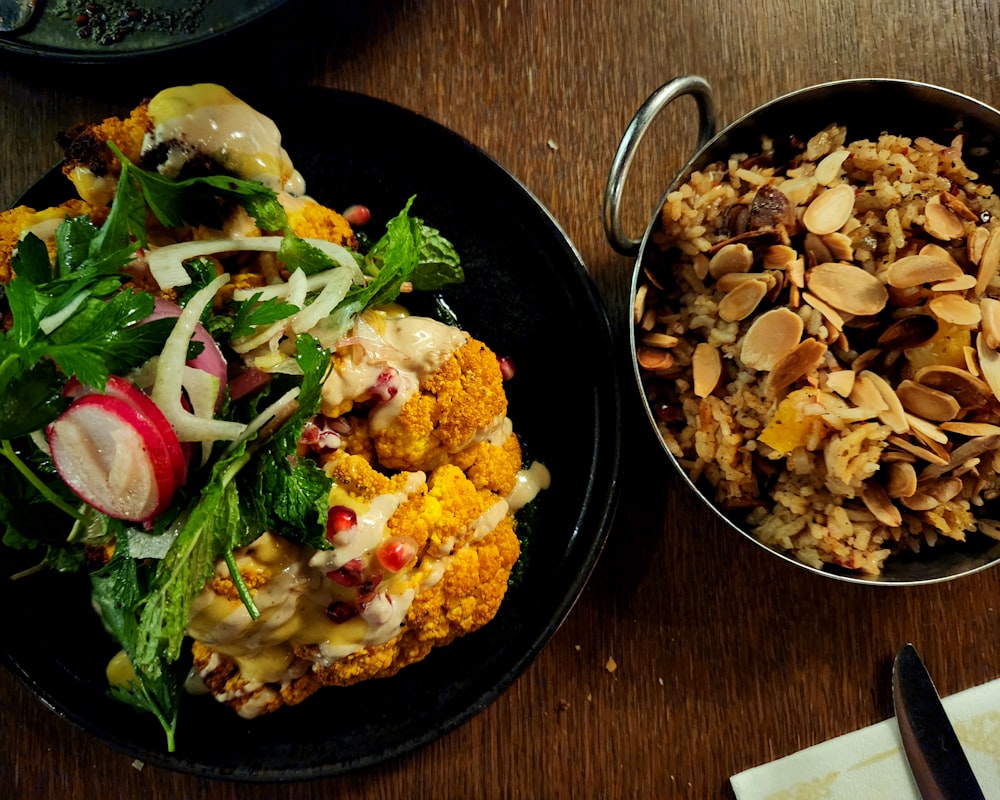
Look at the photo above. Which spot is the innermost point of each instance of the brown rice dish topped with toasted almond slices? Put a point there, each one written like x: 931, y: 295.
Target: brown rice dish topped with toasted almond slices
x: 826, y: 358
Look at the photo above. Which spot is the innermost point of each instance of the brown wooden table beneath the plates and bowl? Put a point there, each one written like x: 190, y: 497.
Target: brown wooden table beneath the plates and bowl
x: 726, y: 656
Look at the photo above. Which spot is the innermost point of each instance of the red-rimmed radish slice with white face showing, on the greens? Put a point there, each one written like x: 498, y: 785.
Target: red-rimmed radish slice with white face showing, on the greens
x: 112, y: 457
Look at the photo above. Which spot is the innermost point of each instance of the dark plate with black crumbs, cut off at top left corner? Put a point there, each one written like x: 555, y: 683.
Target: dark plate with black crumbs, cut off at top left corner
x: 52, y: 36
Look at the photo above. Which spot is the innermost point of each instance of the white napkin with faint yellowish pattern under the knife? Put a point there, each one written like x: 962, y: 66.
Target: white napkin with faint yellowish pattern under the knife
x: 869, y: 763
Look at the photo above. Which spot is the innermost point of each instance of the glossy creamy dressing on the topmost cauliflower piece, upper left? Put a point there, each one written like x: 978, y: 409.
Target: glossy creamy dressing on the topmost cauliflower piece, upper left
x: 207, y: 118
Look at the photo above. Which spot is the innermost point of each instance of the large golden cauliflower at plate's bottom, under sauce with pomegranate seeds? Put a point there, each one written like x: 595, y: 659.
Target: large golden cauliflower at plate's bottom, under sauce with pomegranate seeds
x: 459, y: 578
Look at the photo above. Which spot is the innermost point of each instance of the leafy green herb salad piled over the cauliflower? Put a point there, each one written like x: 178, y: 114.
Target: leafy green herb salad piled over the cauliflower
x: 75, y: 318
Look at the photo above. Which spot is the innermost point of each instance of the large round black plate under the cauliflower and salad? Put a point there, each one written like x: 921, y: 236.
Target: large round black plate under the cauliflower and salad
x: 528, y: 296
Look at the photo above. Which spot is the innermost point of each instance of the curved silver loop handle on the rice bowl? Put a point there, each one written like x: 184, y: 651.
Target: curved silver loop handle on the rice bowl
x: 657, y: 101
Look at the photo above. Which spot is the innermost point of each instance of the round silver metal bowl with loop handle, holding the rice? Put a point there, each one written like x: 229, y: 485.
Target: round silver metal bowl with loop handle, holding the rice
x: 868, y: 107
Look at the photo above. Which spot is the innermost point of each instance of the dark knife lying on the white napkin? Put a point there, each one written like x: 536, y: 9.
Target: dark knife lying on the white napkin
x: 937, y: 761
